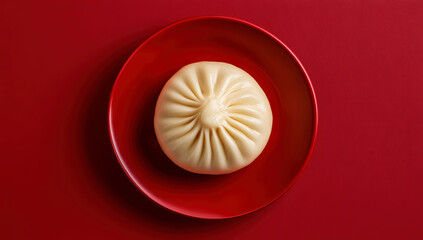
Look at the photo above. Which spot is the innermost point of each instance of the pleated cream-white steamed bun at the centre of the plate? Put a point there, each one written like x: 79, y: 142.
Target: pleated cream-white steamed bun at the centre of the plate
x: 212, y: 118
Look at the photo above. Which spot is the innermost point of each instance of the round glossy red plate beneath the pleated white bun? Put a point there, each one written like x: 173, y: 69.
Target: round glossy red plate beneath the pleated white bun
x: 242, y: 44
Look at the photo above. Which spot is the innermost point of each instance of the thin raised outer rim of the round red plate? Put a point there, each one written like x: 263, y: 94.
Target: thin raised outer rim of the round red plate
x: 260, y: 29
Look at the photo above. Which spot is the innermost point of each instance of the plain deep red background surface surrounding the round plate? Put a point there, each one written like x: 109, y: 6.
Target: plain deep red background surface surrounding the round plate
x: 59, y: 177
